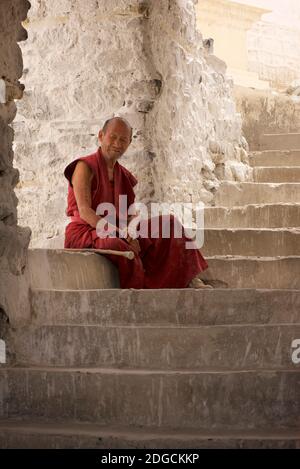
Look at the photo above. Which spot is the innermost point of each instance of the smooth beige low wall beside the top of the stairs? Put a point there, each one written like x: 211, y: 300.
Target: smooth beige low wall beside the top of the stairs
x: 266, y: 112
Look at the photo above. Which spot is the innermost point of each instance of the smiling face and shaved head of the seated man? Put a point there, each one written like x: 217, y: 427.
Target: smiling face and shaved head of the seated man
x: 115, y: 140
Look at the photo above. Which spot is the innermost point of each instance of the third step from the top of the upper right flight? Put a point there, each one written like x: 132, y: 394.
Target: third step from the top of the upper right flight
x: 276, y: 174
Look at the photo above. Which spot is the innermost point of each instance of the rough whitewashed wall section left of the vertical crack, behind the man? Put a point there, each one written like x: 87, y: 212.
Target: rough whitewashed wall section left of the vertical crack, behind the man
x: 85, y: 62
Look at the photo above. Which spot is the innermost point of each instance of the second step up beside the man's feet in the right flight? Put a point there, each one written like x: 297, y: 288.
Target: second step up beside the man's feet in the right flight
x: 251, y: 242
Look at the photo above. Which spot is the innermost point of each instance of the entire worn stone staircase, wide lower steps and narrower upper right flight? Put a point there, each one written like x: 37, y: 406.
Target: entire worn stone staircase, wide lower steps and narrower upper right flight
x: 108, y: 368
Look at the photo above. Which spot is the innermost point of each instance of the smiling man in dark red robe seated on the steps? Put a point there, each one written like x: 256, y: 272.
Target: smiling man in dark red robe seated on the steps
x: 158, y: 262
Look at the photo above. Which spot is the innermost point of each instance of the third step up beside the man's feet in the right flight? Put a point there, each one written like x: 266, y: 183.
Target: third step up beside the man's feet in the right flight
x: 253, y: 216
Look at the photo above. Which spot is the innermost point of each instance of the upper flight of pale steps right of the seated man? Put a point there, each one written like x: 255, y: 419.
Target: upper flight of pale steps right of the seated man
x: 255, y: 227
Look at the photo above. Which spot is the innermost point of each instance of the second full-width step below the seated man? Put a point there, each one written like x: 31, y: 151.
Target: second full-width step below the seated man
x: 229, y: 347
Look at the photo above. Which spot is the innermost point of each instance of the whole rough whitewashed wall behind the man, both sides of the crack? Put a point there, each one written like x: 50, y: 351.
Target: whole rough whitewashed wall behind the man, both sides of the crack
x: 86, y: 61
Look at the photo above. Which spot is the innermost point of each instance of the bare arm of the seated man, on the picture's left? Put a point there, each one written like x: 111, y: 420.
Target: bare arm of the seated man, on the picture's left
x: 82, y: 183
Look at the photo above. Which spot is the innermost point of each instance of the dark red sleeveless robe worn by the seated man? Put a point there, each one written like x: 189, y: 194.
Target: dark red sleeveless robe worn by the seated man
x: 162, y: 262
